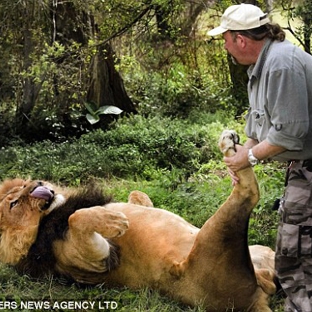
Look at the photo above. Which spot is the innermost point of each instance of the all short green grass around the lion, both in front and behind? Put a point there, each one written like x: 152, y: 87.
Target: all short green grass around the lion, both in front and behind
x: 195, y: 199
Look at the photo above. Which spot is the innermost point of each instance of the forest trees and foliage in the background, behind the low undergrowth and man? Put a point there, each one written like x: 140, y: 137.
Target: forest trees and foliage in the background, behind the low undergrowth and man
x: 146, y: 57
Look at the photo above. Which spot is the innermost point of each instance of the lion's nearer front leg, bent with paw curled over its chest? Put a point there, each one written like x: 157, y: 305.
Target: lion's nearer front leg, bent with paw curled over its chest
x: 86, y: 245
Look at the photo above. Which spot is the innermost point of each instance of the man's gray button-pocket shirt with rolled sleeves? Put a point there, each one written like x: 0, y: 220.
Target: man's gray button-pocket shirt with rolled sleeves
x: 280, y: 97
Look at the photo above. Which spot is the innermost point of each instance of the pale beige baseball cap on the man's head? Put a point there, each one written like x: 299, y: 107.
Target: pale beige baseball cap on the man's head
x: 240, y: 17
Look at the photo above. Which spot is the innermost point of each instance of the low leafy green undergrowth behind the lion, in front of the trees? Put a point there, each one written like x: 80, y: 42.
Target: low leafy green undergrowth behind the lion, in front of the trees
x: 135, y: 147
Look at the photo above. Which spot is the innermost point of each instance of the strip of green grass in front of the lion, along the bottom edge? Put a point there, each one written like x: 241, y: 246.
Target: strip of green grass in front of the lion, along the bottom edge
x: 24, y: 294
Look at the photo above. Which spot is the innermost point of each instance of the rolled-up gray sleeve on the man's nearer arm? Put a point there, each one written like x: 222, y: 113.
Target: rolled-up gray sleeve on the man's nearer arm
x: 288, y: 108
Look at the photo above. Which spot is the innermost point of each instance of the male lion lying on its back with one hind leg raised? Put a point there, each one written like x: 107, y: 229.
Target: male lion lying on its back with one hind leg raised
x: 85, y: 236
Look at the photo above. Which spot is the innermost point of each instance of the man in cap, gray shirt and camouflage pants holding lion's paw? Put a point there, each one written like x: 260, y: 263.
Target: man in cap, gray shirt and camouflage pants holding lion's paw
x: 278, y: 126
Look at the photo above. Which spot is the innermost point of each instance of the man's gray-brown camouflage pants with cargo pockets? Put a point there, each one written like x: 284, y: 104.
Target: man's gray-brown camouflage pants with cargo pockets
x: 293, y: 258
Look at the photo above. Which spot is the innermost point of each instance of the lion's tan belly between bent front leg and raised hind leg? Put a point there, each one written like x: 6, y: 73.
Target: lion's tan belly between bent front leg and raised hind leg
x: 155, y: 240
